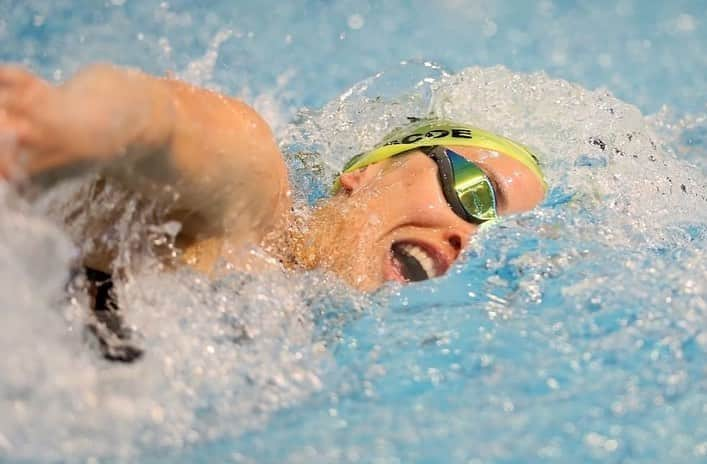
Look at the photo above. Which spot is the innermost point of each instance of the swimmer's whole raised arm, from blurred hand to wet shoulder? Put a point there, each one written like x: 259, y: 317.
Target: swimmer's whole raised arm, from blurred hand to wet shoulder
x: 213, y: 156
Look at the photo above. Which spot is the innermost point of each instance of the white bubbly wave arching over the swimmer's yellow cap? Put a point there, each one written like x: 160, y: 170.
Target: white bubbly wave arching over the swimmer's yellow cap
x: 596, y: 149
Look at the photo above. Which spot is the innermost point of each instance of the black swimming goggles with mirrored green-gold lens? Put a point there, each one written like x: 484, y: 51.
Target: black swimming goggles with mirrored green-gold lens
x: 467, y: 189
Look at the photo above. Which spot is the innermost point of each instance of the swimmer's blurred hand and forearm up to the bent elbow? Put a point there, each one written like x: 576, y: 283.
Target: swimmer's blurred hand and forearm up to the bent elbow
x: 101, y: 114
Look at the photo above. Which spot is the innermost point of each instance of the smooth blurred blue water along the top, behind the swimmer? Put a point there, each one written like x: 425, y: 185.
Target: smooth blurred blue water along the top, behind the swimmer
x: 647, y: 53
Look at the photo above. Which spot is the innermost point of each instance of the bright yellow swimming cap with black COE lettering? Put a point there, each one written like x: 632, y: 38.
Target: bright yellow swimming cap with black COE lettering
x: 428, y: 133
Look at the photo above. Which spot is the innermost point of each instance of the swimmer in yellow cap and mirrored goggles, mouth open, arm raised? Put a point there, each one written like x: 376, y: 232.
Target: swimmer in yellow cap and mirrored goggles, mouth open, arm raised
x: 403, y: 211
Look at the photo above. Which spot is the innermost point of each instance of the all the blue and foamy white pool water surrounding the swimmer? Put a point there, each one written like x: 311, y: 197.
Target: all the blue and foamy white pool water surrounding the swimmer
x: 573, y: 333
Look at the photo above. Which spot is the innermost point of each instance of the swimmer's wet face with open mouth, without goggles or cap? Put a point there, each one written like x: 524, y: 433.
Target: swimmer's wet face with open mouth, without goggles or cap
x: 390, y: 221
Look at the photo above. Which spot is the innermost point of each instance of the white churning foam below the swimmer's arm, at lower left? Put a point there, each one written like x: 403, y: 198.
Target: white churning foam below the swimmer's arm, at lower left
x: 221, y: 356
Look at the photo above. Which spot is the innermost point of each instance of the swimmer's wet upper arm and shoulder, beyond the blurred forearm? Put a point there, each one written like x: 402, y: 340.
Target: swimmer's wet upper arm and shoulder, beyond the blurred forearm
x: 223, y: 161
